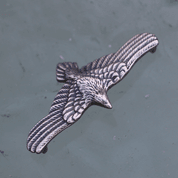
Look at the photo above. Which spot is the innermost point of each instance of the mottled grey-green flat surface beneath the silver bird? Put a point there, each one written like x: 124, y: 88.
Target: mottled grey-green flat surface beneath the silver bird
x: 138, y: 138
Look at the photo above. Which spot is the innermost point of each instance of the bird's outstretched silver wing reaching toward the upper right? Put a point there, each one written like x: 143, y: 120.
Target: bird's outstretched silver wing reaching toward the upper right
x: 113, y: 67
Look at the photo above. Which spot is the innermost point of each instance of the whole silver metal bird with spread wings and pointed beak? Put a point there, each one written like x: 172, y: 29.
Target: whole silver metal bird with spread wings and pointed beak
x: 86, y: 86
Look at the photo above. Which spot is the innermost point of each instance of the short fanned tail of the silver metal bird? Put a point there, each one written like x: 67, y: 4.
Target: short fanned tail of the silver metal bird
x: 63, y: 70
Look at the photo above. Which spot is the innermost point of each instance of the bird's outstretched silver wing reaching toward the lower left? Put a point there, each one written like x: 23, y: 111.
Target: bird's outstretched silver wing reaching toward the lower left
x: 66, y: 109
